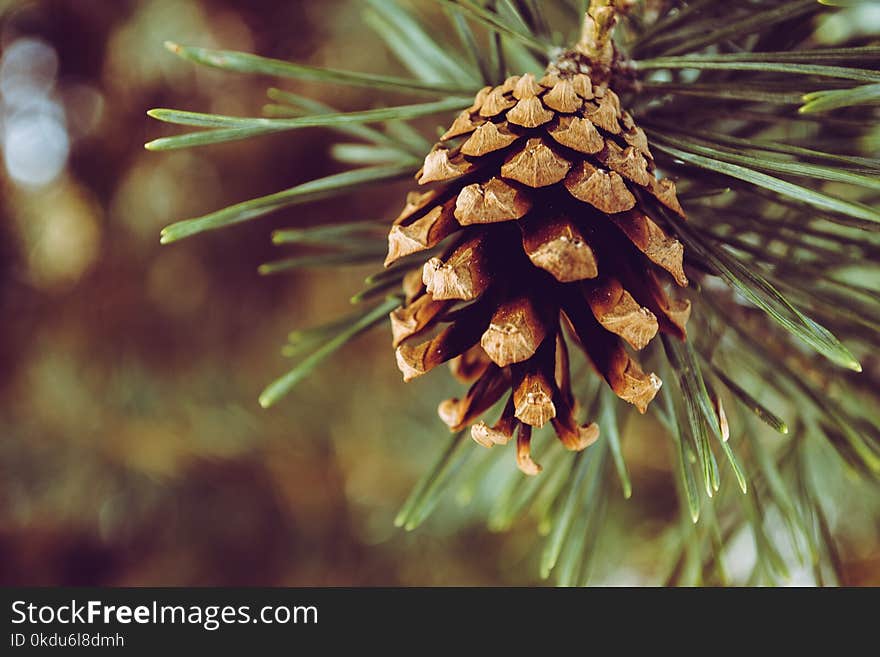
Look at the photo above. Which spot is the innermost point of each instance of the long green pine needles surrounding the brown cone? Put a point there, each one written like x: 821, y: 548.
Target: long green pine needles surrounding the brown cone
x: 772, y: 138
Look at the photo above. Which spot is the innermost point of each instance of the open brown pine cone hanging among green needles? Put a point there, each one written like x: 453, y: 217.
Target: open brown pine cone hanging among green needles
x: 547, y: 192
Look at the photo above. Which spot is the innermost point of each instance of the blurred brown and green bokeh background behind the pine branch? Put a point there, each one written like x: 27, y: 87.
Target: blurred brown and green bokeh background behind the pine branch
x: 132, y: 449
